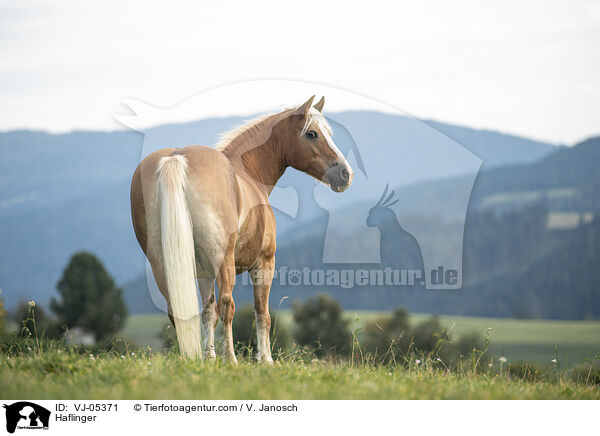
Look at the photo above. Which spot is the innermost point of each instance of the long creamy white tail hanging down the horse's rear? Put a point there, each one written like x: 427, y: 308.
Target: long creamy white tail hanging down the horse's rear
x: 178, y: 253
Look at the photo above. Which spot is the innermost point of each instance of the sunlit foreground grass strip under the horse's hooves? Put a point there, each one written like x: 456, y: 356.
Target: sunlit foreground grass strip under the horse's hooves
x: 62, y: 374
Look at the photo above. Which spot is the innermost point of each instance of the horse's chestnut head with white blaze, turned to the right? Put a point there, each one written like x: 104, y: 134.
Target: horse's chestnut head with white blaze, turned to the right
x: 311, y: 149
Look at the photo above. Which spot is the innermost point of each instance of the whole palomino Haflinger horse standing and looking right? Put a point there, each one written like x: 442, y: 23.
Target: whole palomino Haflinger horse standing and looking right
x: 204, y: 213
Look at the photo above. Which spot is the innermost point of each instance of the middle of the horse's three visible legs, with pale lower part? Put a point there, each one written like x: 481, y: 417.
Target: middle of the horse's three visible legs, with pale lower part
x: 226, y: 305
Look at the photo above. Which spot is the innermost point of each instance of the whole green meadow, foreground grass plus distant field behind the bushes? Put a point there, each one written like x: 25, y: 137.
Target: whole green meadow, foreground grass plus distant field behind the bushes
x: 144, y: 371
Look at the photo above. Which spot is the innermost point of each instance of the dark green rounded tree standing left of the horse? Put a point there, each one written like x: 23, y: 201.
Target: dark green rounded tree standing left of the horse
x: 89, y: 298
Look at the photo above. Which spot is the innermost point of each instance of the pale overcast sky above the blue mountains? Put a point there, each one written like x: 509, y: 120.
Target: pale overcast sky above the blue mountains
x: 525, y: 67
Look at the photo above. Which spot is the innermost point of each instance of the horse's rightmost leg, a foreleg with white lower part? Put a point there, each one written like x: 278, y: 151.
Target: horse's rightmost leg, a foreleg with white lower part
x: 262, y: 276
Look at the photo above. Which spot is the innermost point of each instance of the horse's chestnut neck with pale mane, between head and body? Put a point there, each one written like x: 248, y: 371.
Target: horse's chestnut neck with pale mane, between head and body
x: 256, y: 154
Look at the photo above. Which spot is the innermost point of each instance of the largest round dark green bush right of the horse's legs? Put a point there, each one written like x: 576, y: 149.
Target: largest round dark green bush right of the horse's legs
x: 321, y: 326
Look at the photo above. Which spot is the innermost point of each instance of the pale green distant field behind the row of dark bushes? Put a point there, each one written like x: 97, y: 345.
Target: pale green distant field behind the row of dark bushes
x: 517, y: 340
